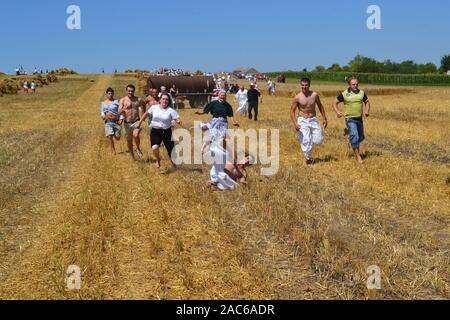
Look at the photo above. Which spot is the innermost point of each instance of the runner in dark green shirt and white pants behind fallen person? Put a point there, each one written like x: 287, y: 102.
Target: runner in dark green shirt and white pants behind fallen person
x: 221, y: 110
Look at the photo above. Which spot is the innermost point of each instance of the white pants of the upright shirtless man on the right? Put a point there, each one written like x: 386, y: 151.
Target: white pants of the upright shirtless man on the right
x: 310, y: 134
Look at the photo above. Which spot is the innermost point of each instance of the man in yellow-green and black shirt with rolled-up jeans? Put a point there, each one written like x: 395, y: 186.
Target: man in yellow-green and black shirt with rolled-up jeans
x: 355, y: 103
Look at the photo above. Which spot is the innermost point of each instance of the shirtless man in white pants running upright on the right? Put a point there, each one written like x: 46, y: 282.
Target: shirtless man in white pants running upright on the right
x: 307, y: 124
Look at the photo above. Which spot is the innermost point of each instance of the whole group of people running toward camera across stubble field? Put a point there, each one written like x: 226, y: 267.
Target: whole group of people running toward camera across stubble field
x: 228, y: 171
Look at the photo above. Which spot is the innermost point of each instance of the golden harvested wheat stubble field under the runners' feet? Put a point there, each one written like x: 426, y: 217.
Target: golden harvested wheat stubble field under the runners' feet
x: 309, y: 232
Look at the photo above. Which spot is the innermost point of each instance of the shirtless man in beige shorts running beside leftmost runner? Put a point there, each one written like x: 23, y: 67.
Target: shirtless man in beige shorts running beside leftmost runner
x: 132, y: 108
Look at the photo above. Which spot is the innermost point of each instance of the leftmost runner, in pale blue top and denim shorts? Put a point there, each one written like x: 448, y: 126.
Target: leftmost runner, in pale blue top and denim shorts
x: 110, y: 115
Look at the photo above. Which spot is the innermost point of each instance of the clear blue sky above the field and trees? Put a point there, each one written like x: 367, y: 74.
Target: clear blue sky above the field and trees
x: 218, y: 35
